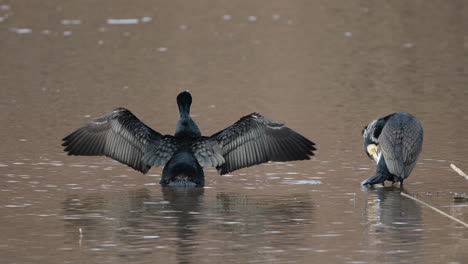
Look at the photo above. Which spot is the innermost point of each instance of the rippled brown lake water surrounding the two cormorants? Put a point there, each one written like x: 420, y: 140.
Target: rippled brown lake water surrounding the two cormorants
x: 325, y: 68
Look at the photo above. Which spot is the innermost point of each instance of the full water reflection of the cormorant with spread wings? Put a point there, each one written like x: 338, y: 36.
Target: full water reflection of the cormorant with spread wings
x: 184, y: 223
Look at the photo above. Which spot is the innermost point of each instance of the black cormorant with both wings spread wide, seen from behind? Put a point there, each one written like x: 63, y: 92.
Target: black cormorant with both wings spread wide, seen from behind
x: 251, y: 140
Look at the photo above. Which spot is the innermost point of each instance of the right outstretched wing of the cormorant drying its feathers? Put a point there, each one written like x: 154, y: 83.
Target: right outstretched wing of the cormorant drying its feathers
x: 253, y: 140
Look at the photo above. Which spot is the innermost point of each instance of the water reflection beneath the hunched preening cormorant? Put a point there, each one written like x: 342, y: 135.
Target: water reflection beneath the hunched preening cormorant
x: 394, y: 225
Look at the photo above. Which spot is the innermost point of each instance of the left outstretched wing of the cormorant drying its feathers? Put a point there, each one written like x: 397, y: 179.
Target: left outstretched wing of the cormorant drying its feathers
x: 119, y: 135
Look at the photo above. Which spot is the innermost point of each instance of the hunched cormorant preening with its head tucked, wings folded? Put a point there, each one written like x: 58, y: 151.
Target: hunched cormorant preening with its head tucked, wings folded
x: 394, y: 142
